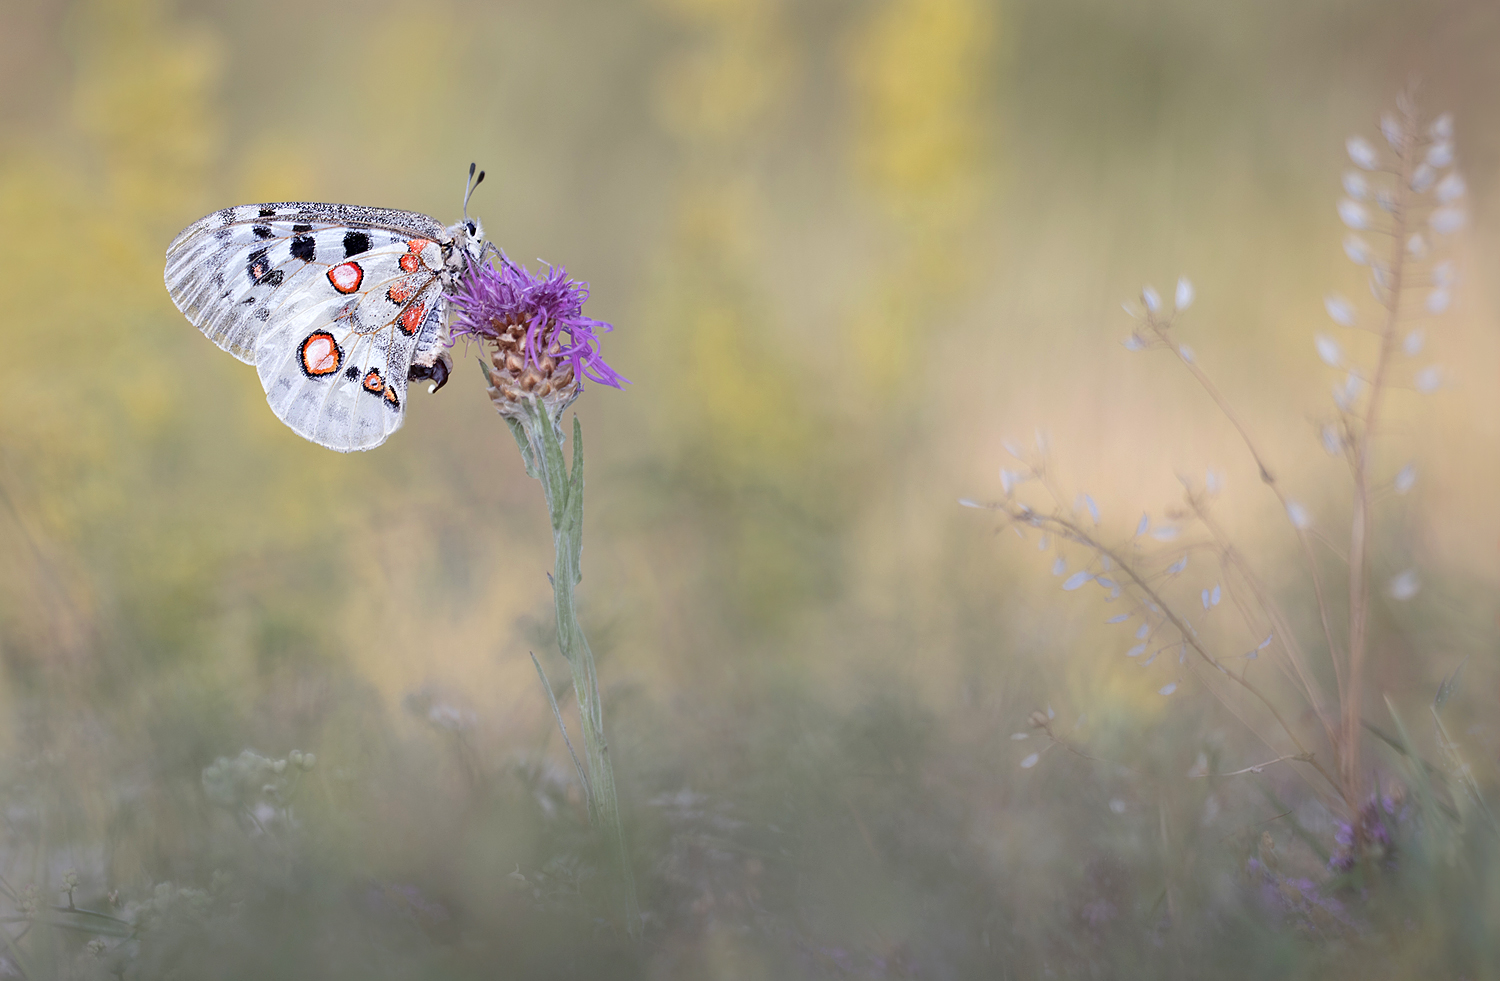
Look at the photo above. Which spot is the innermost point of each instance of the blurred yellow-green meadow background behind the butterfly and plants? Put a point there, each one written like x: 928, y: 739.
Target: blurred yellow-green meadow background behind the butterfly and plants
x: 851, y: 250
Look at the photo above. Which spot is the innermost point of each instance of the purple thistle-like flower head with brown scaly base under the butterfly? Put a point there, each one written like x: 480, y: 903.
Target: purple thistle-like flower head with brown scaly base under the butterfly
x: 535, y: 331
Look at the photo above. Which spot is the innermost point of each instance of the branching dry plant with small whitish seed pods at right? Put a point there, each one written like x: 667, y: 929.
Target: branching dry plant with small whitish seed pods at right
x: 1402, y: 203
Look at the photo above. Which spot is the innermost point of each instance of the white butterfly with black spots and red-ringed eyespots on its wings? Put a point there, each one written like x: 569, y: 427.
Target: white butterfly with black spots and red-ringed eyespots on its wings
x: 338, y: 307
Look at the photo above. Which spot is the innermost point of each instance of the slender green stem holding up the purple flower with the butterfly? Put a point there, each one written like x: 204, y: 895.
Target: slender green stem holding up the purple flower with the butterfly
x: 539, y: 437
